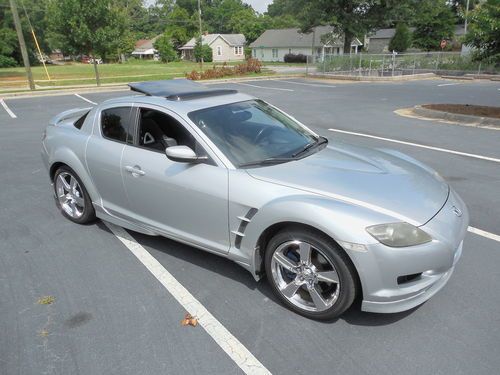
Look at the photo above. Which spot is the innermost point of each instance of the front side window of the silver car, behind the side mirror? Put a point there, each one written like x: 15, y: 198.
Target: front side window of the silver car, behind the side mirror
x: 158, y: 131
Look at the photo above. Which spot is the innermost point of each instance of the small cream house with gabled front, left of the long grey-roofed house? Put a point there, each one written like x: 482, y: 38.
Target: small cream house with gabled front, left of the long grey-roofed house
x: 225, y: 47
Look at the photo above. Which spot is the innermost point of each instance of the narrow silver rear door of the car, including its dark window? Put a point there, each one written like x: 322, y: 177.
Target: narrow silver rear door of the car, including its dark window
x: 113, y: 129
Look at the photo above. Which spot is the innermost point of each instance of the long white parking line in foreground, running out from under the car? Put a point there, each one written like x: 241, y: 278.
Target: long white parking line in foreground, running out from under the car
x: 230, y: 344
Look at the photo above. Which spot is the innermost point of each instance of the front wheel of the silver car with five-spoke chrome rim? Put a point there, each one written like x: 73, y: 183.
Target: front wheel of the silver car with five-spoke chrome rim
x: 310, y: 273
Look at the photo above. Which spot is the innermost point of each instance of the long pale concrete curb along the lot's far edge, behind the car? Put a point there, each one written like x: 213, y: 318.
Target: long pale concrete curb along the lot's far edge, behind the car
x: 121, y: 86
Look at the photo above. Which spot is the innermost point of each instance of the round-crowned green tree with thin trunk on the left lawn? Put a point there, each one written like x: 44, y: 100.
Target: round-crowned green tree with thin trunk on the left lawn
x: 88, y: 26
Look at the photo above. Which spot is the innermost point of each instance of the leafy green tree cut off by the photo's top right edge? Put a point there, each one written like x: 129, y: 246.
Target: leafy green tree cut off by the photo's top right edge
x: 484, y: 31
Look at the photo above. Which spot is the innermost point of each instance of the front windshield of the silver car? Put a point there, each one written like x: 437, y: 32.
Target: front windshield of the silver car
x: 252, y: 131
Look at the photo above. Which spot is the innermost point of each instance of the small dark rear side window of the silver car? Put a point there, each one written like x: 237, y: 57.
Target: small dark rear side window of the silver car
x: 116, y: 124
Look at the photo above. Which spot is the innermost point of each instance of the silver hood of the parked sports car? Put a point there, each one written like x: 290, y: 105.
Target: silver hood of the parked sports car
x: 385, y: 181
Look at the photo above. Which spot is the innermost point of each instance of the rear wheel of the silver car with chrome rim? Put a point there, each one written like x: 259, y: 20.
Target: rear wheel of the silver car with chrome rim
x: 72, y: 197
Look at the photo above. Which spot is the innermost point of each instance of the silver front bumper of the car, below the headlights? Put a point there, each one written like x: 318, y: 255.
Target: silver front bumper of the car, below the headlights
x: 398, y: 279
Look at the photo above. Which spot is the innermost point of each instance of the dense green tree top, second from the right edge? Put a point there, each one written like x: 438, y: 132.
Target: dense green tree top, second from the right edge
x: 434, y: 22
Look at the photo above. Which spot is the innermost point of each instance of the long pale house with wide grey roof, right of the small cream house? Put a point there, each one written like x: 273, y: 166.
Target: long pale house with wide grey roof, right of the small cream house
x: 274, y: 44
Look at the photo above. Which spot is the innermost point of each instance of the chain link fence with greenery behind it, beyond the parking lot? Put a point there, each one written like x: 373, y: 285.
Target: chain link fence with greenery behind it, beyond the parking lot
x: 391, y: 65
